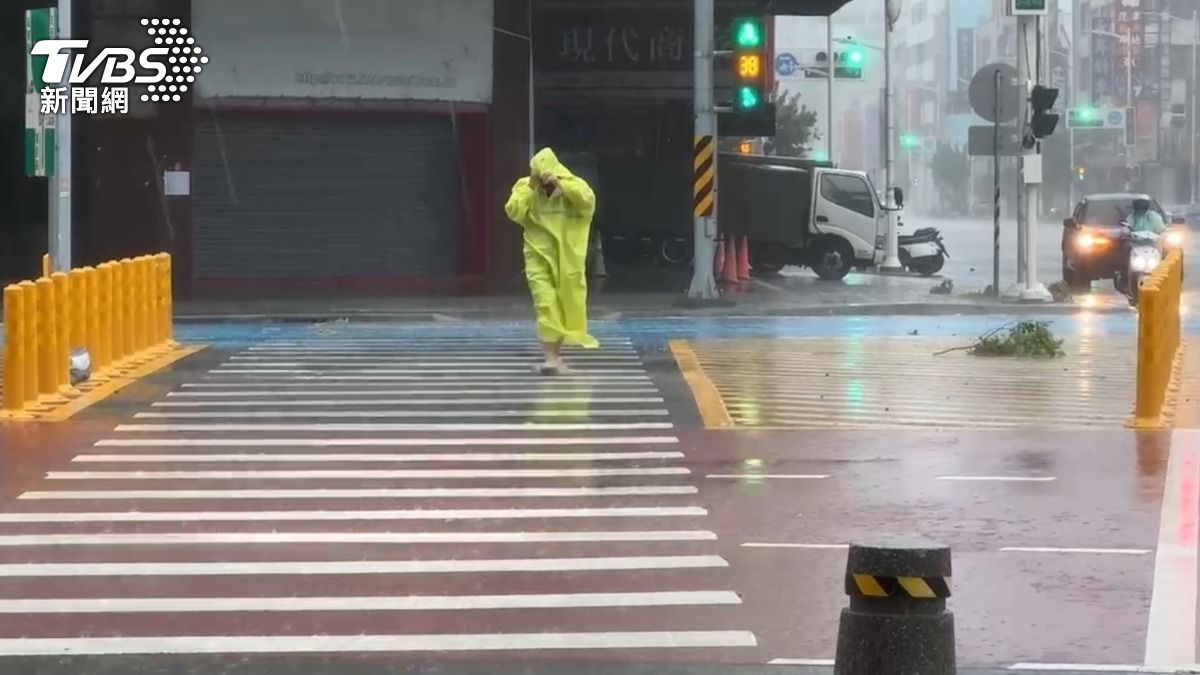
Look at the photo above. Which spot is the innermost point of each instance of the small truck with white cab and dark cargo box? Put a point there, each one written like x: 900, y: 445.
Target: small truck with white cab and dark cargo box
x: 802, y: 213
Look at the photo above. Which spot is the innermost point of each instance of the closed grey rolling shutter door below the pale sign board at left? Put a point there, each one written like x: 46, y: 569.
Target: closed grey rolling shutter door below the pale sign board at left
x: 323, y: 196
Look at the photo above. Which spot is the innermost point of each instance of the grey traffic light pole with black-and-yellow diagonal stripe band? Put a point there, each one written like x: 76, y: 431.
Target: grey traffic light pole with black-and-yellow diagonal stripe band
x: 704, y: 283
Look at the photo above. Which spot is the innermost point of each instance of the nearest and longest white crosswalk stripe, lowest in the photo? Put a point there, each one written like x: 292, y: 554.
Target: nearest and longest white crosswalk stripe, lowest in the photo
x: 361, y: 644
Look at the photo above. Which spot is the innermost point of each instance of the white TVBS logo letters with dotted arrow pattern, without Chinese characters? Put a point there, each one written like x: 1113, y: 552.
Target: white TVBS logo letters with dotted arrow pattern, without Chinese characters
x: 169, y: 68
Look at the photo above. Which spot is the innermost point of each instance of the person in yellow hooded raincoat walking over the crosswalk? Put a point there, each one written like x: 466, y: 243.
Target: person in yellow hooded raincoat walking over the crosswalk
x: 555, y: 210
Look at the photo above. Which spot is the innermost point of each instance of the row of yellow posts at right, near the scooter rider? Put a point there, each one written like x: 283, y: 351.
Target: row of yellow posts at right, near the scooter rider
x: 1159, y: 341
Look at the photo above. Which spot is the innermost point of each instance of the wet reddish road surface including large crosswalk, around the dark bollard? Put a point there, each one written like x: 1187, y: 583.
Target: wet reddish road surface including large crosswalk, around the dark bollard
x: 350, y: 492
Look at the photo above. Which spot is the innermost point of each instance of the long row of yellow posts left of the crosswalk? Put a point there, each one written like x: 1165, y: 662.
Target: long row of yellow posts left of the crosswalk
x: 121, y: 313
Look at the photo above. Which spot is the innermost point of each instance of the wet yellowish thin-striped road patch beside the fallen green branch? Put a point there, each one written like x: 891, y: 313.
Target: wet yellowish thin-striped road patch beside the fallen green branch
x: 908, y: 383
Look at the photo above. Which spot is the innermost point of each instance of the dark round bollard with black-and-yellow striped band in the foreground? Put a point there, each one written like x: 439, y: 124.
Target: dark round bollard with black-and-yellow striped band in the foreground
x: 897, y: 623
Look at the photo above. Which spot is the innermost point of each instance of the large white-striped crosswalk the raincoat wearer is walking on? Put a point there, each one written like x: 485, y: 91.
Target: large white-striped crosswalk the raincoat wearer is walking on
x: 357, y: 494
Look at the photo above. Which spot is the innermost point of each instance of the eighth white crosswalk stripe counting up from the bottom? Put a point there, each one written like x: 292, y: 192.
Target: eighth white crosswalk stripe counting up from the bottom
x: 374, y: 458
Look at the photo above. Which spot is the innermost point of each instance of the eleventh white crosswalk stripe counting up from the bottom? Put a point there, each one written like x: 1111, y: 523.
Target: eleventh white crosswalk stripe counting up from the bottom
x: 405, y: 414
